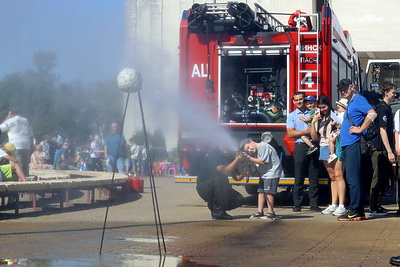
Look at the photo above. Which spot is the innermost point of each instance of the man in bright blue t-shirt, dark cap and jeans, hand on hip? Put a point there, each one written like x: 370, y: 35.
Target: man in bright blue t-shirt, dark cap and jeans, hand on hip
x: 357, y: 118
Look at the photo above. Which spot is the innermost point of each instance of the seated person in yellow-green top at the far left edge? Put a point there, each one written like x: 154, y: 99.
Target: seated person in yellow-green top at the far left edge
x: 13, y: 171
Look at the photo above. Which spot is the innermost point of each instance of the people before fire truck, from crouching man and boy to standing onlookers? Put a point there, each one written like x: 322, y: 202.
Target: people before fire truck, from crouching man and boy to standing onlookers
x: 324, y: 137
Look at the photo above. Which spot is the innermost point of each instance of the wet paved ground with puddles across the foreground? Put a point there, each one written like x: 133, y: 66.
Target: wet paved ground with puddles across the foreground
x: 296, y: 239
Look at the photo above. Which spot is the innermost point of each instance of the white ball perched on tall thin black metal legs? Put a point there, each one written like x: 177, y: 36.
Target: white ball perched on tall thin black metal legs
x: 130, y: 81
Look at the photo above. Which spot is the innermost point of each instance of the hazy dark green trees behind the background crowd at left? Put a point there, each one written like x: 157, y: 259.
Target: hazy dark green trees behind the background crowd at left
x: 75, y: 109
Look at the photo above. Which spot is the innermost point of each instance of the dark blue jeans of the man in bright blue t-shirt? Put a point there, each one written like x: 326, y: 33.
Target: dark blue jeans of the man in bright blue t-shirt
x: 352, y: 160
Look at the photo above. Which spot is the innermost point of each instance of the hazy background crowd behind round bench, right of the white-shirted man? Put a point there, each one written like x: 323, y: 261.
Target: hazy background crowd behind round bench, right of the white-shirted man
x: 112, y: 154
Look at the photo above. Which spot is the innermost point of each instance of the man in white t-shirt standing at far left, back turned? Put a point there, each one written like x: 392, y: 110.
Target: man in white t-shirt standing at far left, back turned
x: 20, y: 134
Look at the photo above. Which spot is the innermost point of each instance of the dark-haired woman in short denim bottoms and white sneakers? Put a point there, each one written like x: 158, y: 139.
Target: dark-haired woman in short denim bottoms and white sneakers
x: 321, y: 129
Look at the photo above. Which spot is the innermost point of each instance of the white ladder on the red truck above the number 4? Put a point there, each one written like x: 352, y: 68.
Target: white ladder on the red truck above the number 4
x: 308, y: 79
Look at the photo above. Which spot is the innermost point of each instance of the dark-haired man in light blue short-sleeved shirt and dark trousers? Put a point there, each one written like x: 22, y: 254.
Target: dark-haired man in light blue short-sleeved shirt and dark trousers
x: 304, y: 165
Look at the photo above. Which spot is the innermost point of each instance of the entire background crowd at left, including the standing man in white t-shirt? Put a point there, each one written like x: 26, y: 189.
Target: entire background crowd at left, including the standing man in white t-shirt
x: 56, y: 152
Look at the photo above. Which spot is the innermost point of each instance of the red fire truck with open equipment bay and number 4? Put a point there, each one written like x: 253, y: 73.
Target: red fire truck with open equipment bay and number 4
x: 243, y: 66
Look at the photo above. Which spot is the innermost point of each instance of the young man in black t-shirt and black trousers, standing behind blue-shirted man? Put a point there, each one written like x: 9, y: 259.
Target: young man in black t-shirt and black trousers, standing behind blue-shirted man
x: 382, y: 156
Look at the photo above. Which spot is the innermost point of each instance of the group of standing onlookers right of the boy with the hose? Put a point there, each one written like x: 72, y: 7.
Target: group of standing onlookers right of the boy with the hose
x: 339, y: 137
